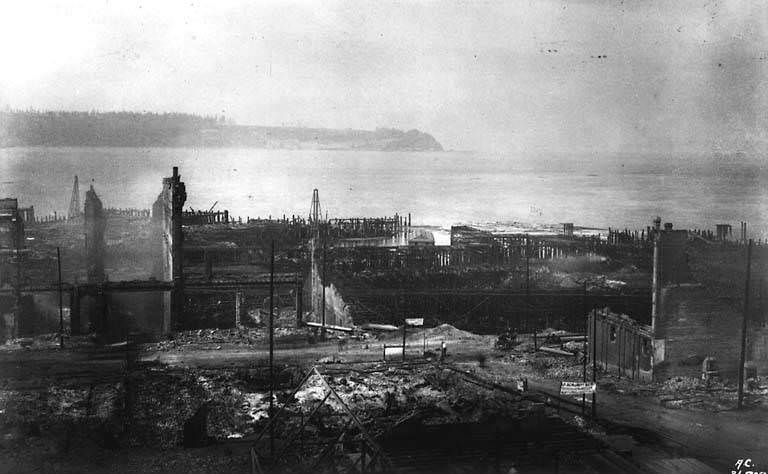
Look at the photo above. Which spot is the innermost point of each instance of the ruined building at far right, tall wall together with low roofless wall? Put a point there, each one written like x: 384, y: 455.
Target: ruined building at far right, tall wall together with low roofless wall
x: 697, y: 310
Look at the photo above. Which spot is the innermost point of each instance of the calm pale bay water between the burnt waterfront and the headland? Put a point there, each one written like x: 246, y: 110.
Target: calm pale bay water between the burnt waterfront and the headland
x: 437, y: 188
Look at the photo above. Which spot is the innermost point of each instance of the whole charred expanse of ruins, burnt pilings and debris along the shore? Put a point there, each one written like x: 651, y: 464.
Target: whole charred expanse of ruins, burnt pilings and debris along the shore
x: 179, y: 337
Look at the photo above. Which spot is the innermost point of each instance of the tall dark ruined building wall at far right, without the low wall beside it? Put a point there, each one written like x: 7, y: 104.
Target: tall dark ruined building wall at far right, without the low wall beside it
x: 700, y: 292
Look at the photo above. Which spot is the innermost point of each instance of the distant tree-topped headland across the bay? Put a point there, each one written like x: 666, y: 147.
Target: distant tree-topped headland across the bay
x: 135, y: 129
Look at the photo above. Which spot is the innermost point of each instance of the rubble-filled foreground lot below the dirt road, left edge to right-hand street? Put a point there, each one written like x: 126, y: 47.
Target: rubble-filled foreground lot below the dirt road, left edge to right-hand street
x: 153, y: 407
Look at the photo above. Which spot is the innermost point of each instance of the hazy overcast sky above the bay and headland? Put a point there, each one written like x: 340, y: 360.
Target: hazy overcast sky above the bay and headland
x: 496, y: 75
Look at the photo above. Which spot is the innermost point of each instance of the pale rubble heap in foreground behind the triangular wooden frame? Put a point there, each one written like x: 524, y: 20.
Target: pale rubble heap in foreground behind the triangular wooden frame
x: 384, y: 397
